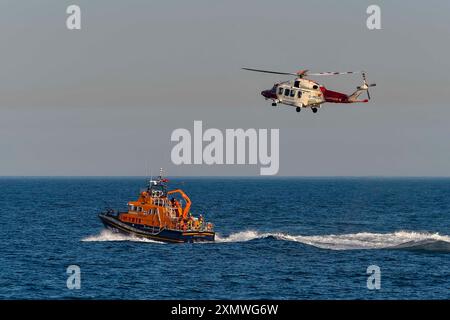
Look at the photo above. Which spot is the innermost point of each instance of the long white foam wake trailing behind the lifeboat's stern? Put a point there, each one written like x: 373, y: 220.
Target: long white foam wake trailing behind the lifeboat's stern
x: 353, y: 241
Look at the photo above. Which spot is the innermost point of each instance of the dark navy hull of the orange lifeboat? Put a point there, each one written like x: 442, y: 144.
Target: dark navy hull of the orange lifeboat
x: 164, y: 235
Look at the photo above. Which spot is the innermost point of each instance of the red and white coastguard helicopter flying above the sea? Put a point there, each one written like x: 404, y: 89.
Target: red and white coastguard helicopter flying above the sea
x: 305, y: 93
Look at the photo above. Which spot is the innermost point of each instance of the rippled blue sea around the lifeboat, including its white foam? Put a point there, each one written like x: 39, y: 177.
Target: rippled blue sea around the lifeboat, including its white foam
x: 305, y: 238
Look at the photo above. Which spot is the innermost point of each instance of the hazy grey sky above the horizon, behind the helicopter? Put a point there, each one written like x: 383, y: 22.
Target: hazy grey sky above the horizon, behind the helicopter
x: 104, y: 100
